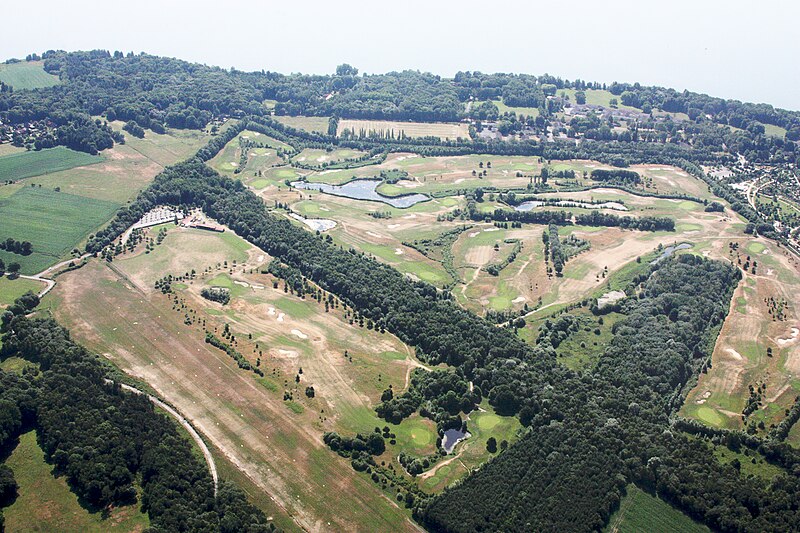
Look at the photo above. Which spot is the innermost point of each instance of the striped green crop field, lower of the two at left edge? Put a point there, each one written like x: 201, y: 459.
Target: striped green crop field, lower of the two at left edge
x: 53, y: 222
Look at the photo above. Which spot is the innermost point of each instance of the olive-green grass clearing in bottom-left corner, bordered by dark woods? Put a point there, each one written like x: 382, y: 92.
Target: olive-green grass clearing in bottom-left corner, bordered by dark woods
x: 46, y: 503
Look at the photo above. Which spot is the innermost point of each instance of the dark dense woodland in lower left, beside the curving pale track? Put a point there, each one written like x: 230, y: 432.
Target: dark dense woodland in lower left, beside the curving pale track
x: 106, y: 440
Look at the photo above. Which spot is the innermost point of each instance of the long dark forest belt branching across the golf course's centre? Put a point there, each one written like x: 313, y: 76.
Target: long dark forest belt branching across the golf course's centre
x: 590, y: 433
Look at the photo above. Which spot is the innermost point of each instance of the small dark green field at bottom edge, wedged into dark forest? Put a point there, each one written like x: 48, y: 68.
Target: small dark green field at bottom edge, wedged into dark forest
x: 639, y: 512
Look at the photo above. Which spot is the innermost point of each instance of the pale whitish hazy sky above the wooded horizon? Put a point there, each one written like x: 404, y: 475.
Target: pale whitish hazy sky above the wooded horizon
x: 732, y: 49
